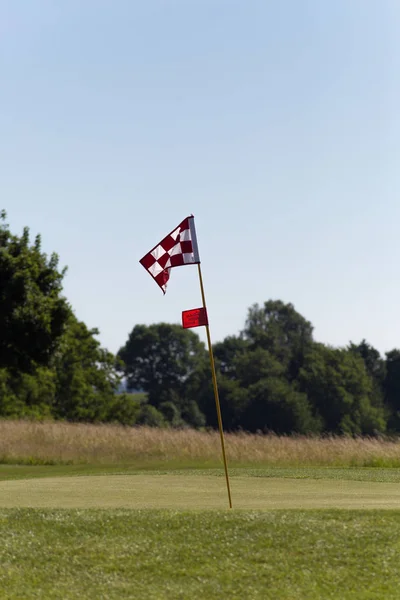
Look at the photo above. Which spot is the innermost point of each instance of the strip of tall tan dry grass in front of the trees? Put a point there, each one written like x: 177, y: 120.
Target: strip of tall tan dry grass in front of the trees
x: 57, y: 443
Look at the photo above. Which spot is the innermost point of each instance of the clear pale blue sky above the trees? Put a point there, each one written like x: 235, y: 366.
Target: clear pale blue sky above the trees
x: 276, y: 123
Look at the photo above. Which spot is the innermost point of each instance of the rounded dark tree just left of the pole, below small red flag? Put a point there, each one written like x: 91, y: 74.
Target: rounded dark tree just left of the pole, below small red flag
x: 162, y: 360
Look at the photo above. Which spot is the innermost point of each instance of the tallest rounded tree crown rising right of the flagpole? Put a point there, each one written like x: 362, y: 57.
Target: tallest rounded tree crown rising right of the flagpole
x: 280, y: 329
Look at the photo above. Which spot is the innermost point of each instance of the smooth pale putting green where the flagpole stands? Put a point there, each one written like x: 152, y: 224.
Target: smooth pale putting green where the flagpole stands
x: 202, y: 492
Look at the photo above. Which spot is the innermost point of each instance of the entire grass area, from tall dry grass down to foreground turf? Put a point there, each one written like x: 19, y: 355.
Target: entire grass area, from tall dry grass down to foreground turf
x: 119, y: 513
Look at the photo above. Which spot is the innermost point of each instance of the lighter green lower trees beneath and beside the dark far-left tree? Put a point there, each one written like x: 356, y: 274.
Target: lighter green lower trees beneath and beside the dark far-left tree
x: 78, y: 385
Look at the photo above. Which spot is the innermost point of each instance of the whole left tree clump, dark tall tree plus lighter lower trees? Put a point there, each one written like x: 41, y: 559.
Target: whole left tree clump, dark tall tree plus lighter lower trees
x: 51, y: 365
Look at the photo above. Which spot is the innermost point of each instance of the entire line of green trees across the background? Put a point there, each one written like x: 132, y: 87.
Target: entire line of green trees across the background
x: 272, y: 376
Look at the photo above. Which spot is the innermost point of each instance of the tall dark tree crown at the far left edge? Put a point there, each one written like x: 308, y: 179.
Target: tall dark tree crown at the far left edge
x: 33, y: 314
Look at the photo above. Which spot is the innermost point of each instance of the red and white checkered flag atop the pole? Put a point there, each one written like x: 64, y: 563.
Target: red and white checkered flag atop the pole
x: 177, y: 249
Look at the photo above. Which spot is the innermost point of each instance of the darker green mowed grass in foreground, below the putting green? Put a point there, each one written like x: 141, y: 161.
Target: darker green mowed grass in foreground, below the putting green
x: 151, y: 554
